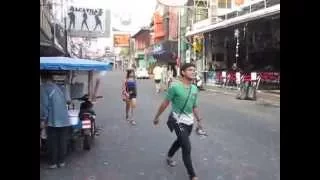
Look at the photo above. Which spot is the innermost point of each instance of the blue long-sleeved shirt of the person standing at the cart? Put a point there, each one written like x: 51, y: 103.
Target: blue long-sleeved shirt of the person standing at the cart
x: 53, y: 105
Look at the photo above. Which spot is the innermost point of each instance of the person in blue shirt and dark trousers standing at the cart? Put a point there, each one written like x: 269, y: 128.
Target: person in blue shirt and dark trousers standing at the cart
x: 54, y: 113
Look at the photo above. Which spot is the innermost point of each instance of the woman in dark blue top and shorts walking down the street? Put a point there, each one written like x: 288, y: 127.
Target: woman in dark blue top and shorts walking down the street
x: 129, y: 95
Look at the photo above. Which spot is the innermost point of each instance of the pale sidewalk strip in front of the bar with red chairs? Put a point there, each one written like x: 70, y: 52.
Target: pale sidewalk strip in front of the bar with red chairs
x: 263, y: 97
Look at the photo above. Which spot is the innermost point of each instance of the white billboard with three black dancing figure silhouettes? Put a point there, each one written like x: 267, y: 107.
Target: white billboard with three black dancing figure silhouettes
x: 88, y: 22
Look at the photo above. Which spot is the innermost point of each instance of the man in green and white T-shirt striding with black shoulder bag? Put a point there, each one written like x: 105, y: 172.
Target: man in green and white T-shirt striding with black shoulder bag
x: 184, y: 98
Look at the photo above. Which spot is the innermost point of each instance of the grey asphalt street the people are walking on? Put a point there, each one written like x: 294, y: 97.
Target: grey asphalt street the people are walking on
x: 243, y: 141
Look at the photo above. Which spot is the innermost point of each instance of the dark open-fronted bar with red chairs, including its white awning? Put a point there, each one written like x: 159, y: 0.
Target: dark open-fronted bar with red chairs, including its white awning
x: 243, y: 44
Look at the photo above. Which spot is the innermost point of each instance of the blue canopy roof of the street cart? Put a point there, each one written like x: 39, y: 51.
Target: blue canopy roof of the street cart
x: 65, y: 63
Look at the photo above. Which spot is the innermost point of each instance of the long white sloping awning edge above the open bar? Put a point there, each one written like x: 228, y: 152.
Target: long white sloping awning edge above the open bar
x: 237, y: 20
